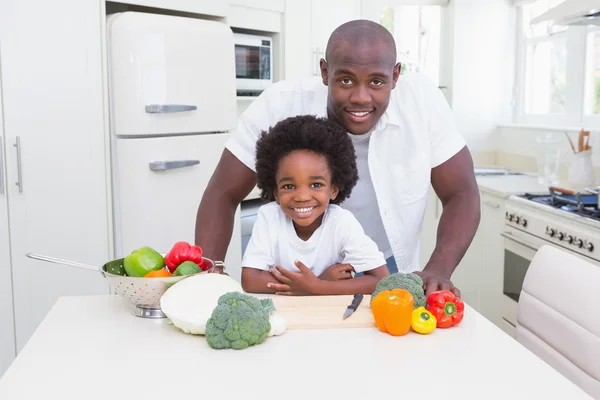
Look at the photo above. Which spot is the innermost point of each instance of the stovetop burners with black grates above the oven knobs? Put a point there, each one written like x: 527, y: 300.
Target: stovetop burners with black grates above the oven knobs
x: 585, y: 205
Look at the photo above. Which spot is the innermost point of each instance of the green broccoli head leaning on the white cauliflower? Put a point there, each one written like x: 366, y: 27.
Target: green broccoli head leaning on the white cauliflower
x: 237, y: 322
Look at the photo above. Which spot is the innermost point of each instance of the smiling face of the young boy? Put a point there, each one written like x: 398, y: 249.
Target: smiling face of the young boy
x: 304, y: 189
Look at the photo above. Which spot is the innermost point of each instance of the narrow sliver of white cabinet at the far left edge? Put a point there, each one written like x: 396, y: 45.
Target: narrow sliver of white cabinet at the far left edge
x: 7, y: 333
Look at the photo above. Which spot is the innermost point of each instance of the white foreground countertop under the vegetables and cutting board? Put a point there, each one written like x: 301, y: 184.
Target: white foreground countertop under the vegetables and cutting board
x: 93, y: 348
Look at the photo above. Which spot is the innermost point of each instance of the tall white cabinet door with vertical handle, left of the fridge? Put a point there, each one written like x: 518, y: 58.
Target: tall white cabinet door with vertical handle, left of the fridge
x: 54, y: 108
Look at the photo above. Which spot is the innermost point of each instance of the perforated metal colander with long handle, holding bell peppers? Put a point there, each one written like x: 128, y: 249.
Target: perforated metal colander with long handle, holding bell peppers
x: 143, y: 293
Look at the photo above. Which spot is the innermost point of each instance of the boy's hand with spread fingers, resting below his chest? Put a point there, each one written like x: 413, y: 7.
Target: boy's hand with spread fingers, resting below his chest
x: 292, y: 283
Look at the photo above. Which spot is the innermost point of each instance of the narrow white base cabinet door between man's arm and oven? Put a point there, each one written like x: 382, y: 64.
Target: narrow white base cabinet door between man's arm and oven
x: 492, y: 266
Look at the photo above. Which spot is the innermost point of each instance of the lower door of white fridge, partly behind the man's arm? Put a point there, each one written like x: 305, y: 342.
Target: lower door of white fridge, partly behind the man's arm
x: 160, y: 184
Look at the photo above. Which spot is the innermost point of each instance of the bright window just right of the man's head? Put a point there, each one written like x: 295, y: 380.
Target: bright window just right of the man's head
x: 416, y: 30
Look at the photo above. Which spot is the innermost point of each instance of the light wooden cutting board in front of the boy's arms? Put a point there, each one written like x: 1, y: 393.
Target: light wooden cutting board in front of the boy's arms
x: 321, y: 312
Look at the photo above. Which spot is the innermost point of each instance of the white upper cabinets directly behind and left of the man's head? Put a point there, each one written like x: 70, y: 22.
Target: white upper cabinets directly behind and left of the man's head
x: 308, y: 25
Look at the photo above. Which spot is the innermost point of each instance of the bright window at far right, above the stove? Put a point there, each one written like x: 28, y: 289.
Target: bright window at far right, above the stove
x: 558, y: 79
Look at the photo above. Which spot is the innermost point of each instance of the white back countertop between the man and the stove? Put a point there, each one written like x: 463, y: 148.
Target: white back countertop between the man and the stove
x: 507, y: 185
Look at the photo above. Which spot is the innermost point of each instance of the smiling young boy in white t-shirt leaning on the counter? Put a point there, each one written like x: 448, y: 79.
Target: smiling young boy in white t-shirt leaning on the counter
x: 302, y: 242
